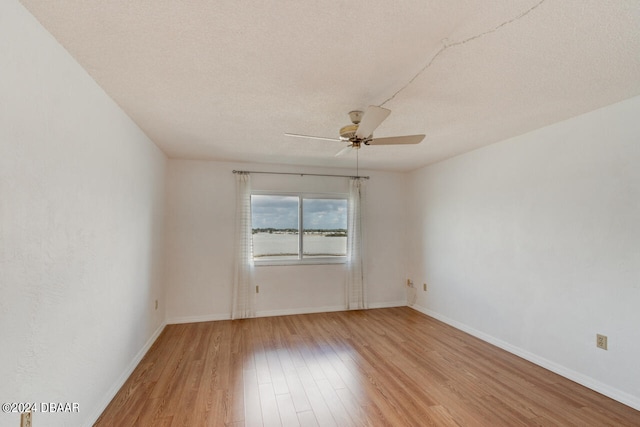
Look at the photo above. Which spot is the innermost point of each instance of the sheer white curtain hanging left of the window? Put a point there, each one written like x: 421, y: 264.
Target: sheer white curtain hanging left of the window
x: 243, y: 295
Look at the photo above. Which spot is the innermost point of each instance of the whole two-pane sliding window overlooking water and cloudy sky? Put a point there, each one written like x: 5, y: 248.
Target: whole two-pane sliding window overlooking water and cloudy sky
x: 300, y: 228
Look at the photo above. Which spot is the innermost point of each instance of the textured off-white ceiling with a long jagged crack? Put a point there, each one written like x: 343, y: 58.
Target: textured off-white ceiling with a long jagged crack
x: 224, y: 80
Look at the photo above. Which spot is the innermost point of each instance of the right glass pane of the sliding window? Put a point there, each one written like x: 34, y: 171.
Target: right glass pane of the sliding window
x: 324, y: 227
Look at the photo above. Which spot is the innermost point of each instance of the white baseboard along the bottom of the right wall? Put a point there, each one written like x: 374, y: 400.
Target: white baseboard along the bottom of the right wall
x: 613, y: 393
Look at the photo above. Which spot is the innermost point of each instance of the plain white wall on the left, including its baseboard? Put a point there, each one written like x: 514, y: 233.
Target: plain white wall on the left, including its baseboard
x: 81, y: 205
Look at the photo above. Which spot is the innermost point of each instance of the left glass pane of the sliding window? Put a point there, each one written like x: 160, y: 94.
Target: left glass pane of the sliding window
x: 274, y: 221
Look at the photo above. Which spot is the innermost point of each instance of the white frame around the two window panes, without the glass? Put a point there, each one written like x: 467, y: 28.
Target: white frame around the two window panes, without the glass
x: 301, y: 260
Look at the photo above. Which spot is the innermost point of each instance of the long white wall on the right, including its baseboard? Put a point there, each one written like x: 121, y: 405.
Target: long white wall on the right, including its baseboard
x: 534, y: 244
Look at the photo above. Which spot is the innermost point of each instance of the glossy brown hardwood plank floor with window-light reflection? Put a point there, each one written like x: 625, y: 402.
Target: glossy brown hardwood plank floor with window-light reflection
x: 384, y: 367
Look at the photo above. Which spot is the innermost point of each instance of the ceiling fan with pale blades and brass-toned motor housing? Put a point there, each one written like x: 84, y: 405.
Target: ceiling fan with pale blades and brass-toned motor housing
x: 361, y: 131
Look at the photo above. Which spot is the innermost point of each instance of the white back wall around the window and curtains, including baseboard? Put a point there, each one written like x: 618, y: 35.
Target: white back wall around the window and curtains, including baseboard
x: 200, y: 243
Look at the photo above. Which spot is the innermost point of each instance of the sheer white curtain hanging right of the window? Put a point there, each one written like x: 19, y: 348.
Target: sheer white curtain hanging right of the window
x: 356, y: 290
